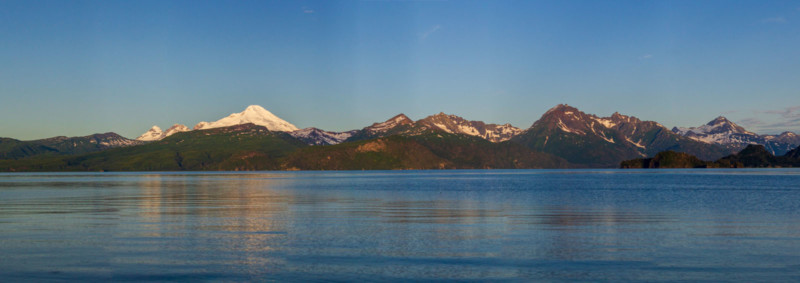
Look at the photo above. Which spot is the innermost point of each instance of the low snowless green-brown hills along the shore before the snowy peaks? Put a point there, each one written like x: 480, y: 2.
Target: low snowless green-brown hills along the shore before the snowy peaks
x: 250, y: 147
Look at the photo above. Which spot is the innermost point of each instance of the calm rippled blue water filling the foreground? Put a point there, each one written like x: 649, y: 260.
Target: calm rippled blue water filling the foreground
x: 516, y: 225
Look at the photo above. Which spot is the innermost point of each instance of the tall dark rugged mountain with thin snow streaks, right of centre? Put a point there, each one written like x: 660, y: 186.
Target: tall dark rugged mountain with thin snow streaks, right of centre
x: 594, y: 141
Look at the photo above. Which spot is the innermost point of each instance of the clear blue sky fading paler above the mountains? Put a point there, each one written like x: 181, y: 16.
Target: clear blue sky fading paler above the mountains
x: 75, y: 68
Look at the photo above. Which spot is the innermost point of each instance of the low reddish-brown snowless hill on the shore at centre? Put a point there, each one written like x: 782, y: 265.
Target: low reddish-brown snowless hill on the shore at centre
x: 431, y: 150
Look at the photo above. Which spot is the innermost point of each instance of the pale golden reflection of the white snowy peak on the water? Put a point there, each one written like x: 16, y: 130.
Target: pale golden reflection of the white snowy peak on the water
x: 218, y: 214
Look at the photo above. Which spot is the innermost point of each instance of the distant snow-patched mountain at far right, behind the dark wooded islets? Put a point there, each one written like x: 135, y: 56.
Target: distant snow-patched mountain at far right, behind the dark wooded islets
x: 724, y: 132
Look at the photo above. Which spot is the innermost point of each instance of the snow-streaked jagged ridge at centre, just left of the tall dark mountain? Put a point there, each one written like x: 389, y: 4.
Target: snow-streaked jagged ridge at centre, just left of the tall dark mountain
x: 457, y: 125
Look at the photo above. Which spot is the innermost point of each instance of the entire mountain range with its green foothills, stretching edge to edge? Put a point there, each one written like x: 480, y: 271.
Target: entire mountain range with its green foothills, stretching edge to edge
x: 562, y: 137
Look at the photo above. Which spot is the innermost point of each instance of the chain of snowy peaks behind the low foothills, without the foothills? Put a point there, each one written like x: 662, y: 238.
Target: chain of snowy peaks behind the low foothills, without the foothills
x: 563, y: 130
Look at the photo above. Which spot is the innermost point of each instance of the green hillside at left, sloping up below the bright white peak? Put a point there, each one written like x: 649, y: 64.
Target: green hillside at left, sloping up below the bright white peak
x: 242, y: 147
